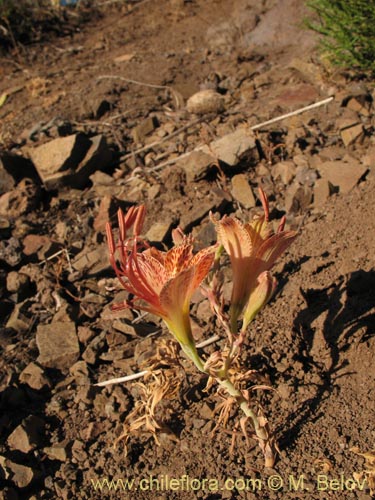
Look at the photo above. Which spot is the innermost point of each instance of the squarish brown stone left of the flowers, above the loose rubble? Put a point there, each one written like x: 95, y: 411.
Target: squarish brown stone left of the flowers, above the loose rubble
x: 58, y: 345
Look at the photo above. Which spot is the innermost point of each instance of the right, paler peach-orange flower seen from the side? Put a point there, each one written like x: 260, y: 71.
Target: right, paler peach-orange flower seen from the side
x: 253, y: 248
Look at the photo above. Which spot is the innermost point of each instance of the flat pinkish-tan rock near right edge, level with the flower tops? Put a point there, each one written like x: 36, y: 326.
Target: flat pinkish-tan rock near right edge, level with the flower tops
x: 344, y: 175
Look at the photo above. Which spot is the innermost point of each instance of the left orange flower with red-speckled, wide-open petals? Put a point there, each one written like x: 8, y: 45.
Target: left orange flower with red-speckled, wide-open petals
x: 164, y: 281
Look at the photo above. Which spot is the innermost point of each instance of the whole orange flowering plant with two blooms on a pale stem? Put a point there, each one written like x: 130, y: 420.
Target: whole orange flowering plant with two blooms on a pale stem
x: 163, y: 283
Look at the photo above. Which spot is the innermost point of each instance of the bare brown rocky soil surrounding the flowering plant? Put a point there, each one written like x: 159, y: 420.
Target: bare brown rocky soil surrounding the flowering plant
x: 125, y: 76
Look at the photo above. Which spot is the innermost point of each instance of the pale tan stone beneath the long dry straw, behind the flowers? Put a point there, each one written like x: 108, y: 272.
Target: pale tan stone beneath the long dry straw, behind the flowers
x: 232, y: 147
